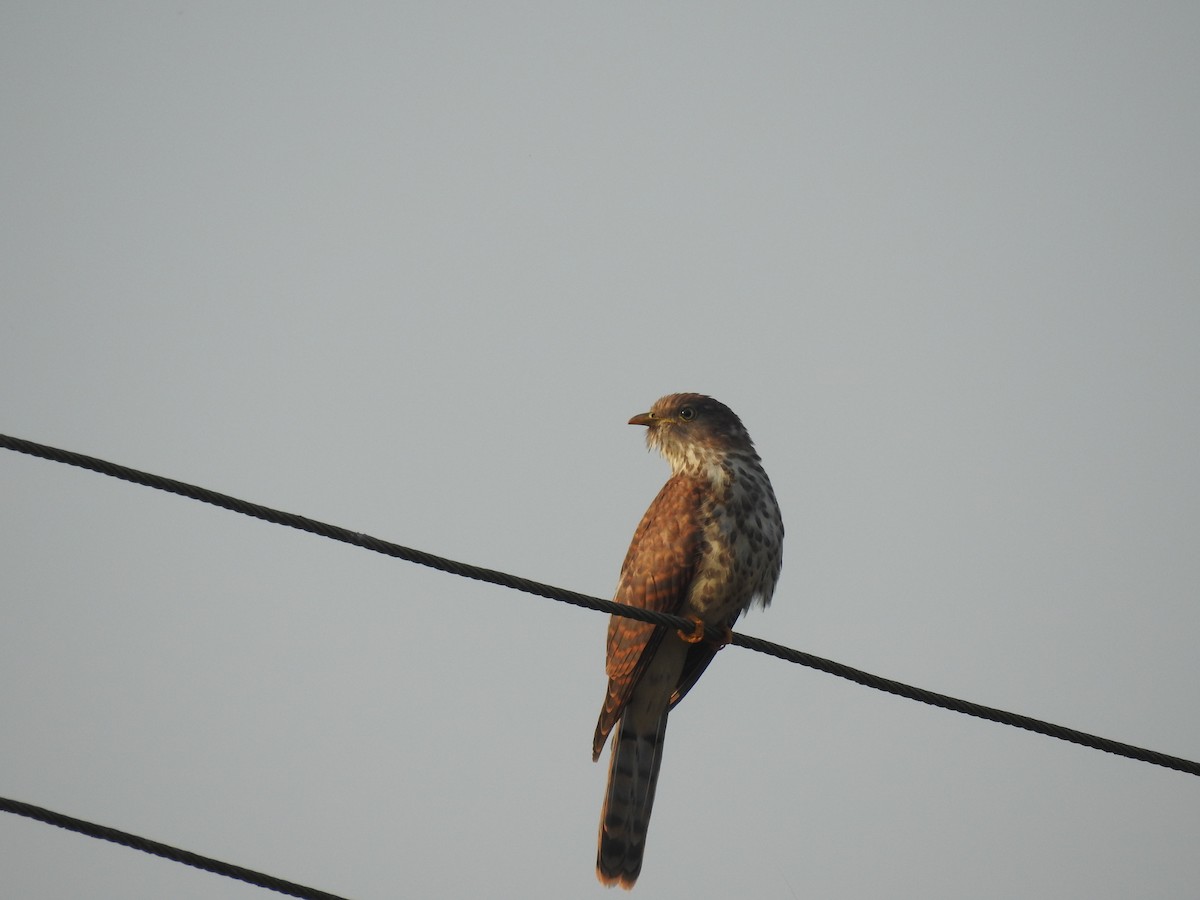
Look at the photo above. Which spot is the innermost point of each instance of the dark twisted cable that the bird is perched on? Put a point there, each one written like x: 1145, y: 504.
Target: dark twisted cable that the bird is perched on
x: 595, y: 603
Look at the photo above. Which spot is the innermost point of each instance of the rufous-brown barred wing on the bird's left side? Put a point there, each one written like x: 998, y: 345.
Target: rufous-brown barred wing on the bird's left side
x: 657, y: 575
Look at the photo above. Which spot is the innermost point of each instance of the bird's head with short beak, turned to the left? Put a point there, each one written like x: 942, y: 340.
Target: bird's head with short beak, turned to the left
x: 694, y: 434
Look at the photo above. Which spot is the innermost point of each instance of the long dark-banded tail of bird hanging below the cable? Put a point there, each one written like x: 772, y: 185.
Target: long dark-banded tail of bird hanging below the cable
x: 633, y: 775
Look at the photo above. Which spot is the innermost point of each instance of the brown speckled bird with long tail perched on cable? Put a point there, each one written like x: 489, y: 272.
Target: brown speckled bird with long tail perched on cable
x: 709, y: 548
